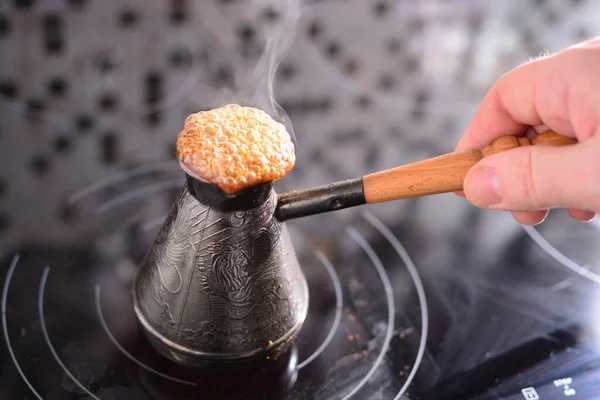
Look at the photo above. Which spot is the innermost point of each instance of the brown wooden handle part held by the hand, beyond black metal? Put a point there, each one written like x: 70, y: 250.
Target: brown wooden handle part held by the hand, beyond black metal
x: 445, y: 173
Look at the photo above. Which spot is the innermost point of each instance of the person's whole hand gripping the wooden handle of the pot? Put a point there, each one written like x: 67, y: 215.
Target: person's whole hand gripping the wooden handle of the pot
x: 559, y: 92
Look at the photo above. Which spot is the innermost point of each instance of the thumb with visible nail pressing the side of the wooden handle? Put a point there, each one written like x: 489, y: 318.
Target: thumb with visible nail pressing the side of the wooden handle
x: 537, y: 177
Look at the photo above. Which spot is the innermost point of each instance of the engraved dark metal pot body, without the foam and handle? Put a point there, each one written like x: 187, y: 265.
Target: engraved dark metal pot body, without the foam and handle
x: 221, y: 284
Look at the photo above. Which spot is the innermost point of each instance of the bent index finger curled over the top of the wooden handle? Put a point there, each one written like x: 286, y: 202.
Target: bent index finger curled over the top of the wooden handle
x: 544, y: 91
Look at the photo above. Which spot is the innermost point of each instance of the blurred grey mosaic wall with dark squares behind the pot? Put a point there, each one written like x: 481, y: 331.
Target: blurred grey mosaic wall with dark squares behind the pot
x: 89, y: 88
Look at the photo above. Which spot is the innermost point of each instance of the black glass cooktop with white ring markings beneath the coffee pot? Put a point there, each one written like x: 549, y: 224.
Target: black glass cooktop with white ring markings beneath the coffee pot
x: 385, y: 322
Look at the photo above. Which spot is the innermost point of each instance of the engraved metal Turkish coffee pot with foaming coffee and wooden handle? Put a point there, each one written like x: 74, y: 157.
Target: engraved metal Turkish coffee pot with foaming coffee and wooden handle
x: 221, y: 284
